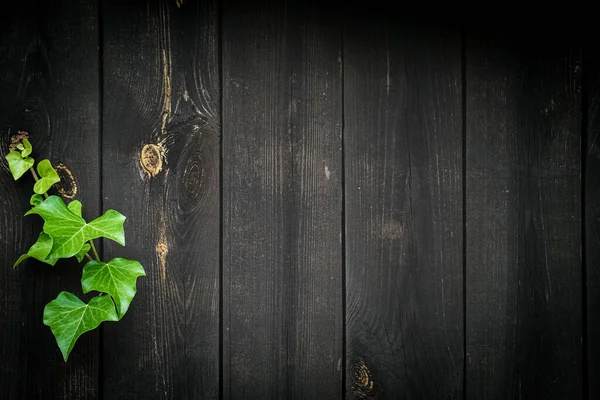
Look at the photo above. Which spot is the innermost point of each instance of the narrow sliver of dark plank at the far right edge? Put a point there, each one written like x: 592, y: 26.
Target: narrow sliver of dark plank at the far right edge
x: 591, y: 74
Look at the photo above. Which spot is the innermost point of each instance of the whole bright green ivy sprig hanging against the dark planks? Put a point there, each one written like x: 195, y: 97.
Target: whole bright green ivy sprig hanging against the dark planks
x: 66, y: 234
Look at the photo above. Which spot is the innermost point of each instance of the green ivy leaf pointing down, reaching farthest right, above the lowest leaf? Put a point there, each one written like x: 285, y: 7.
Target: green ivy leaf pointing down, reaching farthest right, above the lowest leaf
x: 116, y: 277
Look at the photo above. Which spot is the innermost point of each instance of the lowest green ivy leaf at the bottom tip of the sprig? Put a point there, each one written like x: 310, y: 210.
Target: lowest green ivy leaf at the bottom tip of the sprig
x: 69, y: 318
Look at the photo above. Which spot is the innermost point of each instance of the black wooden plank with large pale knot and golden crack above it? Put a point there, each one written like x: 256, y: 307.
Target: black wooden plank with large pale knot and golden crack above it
x: 161, y: 169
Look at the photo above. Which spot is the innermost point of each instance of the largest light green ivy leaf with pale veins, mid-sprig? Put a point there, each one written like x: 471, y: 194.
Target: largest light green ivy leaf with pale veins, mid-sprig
x: 69, y: 231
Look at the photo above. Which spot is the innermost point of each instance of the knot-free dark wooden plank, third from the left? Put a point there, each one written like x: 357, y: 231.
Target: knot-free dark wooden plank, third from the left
x: 282, y: 176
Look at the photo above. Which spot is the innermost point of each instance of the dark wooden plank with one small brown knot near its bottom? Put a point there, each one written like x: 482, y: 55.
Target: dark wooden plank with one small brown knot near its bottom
x: 403, y: 162
